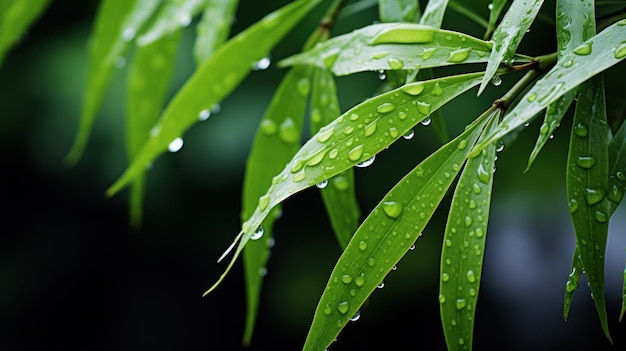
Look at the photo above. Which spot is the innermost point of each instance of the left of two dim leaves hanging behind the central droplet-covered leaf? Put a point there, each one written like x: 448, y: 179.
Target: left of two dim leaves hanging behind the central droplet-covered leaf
x: 276, y: 141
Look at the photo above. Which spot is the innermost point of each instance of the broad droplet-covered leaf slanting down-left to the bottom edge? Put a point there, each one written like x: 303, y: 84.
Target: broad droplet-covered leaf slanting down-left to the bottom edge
x: 385, y: 236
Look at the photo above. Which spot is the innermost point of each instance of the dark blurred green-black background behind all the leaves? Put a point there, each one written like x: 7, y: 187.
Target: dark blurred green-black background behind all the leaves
x: 73, y: 275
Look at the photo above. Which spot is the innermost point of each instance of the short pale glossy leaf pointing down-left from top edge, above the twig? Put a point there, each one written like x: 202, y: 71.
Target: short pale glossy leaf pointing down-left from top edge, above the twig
x: 509, y: 34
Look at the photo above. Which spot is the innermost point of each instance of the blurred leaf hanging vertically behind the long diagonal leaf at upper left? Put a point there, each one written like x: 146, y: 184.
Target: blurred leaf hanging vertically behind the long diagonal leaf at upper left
x: 148, y: 82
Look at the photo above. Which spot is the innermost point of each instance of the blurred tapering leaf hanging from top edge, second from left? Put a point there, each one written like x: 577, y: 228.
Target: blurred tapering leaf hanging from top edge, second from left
x: 116, y: 25
